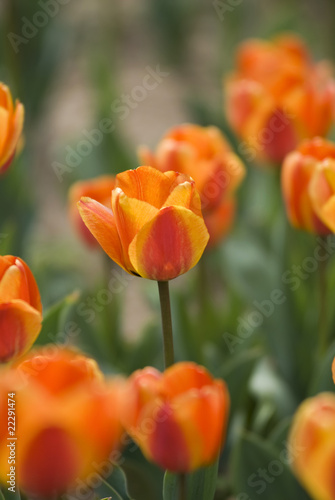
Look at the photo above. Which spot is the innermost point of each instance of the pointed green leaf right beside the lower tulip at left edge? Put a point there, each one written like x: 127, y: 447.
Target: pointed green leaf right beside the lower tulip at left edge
x: 54, y: 321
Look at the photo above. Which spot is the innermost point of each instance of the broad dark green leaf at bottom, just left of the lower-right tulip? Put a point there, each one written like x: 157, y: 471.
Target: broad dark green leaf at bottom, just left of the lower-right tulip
x: 259, y: 469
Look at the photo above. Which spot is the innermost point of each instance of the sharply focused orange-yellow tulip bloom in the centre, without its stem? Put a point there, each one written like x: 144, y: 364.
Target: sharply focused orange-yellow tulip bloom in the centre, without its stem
x: 155, y: 228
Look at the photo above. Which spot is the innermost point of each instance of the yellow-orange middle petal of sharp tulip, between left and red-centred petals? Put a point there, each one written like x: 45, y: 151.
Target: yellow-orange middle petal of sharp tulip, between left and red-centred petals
x: 130, y: 216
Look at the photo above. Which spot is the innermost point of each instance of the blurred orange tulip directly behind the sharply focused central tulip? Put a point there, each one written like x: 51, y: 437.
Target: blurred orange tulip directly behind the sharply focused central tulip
x: 204, y: 154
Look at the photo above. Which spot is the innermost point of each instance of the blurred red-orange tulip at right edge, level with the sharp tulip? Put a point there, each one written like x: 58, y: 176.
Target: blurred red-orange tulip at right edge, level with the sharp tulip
x: 304, y: 185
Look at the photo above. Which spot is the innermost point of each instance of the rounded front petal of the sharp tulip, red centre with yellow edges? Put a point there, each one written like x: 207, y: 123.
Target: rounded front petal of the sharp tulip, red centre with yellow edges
x: 169, y: 245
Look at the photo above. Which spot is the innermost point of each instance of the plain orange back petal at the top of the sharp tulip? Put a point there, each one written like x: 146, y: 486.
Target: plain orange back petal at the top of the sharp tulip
x: 146, y: 184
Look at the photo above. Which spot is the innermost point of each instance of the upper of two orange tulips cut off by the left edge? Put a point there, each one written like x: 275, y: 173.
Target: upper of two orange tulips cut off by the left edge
x: 11, y: 125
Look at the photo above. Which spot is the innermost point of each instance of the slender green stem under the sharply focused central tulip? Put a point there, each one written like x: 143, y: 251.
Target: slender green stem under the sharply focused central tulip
x: 164, y: 297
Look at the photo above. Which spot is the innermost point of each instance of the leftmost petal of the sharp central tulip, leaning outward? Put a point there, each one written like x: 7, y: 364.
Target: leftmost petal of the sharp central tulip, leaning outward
x: 101, y: 222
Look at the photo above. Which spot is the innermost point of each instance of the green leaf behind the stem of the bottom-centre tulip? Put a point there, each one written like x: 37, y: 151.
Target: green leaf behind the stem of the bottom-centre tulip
x: 200, y: 485
